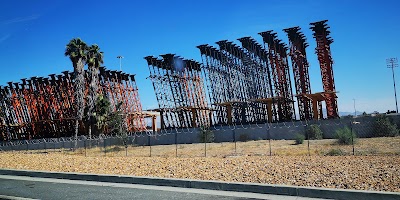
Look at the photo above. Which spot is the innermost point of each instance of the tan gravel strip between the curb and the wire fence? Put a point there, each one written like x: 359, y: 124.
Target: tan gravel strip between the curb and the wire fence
x: 380, y: 173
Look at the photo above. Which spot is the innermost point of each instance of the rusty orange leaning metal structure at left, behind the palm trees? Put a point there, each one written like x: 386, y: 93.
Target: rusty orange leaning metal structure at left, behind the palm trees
x: 41, y: 107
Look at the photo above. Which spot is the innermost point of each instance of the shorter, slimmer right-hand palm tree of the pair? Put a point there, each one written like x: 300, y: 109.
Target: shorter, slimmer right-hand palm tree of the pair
x: 94, y: 59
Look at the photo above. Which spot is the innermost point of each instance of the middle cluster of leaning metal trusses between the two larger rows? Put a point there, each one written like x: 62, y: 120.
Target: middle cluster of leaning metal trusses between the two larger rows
x: 178, y: 86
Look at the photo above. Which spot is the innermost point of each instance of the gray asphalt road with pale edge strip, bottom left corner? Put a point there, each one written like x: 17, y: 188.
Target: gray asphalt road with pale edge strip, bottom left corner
x: 19, y: 187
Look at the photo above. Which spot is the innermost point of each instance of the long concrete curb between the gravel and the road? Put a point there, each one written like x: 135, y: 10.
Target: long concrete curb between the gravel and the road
x: 312, y: 192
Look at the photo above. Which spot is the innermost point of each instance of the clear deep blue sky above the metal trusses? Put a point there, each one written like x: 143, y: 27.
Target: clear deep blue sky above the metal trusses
x: 33, y: 35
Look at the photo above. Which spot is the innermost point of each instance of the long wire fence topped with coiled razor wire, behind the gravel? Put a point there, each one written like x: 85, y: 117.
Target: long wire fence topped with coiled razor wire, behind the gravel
x: 246, y: 140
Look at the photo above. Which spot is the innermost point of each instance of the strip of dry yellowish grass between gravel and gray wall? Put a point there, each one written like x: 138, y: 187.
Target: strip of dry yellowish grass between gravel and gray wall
x: 363, y: 146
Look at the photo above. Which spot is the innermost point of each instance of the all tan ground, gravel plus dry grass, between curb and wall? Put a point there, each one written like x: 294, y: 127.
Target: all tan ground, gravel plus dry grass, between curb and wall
x: 289, y: 165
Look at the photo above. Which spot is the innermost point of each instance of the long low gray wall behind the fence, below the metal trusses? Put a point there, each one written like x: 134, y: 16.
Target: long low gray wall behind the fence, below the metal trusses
x: 276, y: 131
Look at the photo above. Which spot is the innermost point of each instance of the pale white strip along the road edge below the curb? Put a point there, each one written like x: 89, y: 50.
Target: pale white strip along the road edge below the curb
x: 161, y: 188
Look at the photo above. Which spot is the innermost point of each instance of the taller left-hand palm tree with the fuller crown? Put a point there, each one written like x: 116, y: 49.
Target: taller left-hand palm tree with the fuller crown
x: 76, y: 49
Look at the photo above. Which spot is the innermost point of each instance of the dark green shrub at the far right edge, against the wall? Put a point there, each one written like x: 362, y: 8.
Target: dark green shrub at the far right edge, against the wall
x: 383, y: 127
